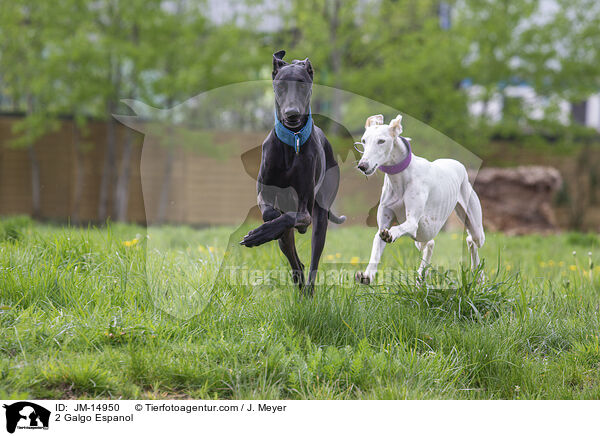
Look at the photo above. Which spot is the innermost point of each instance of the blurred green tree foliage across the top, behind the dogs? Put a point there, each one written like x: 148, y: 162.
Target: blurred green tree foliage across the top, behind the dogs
x: 67, y: 57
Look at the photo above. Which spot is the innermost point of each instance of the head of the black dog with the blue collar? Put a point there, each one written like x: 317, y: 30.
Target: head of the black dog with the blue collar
x: 292, y: 84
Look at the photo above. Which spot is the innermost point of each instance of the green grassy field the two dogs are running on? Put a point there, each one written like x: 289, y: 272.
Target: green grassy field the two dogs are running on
x: 79, y: 318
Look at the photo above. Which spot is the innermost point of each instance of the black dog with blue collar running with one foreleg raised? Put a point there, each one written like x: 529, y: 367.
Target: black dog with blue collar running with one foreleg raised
x: 299, y: 177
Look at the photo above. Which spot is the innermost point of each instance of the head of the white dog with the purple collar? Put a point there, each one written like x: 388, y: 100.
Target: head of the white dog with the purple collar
x: 378, y: 143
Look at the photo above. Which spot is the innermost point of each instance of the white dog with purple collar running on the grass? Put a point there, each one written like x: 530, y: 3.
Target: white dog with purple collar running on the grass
x: 419, y: 194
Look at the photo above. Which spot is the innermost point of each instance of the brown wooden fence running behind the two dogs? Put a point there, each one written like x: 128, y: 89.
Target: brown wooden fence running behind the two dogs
x: 203, y: 191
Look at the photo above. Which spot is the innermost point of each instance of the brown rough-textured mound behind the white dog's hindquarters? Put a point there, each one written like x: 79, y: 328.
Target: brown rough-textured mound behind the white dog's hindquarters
x: 518, y: 200
